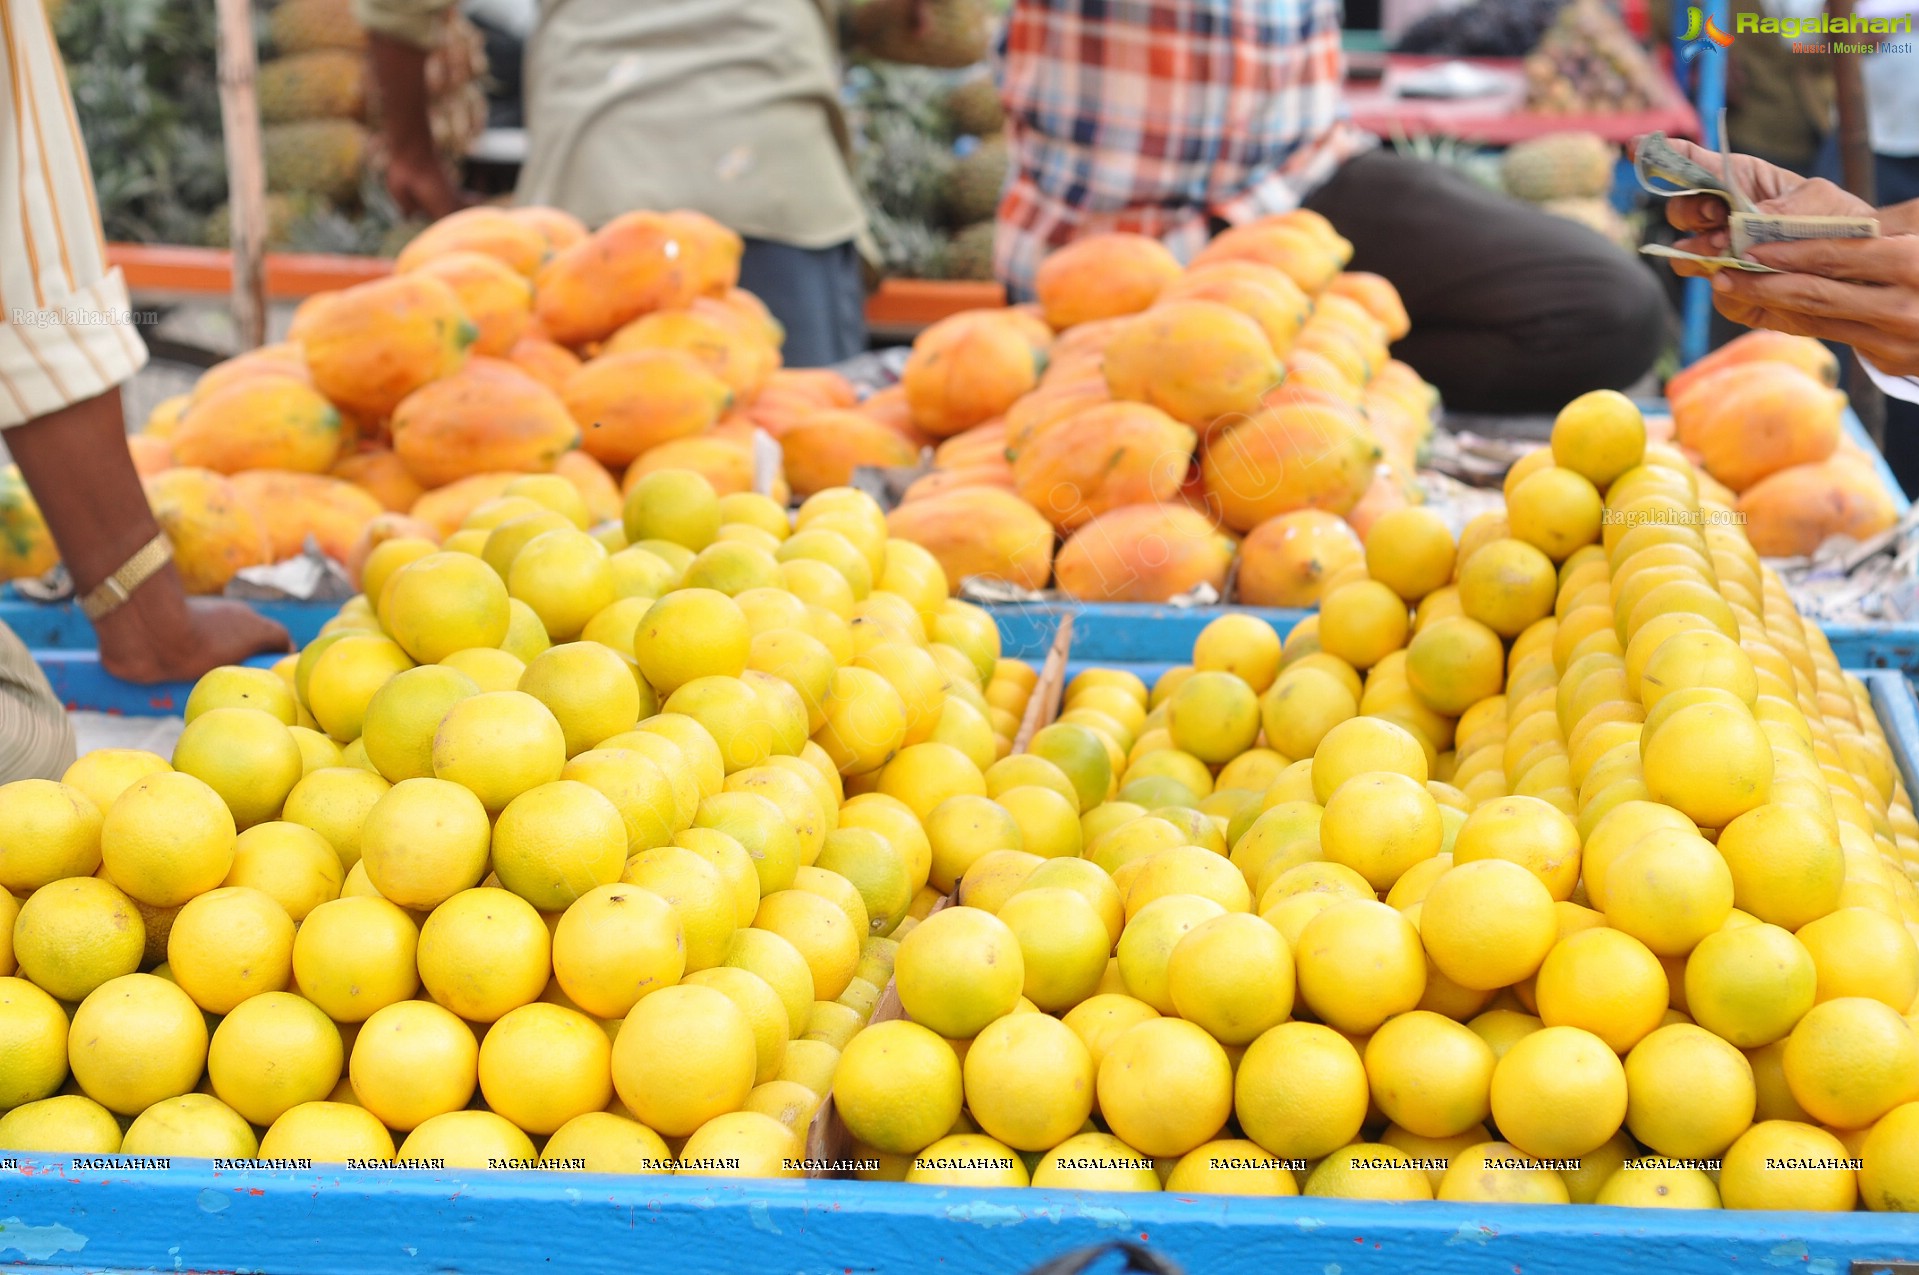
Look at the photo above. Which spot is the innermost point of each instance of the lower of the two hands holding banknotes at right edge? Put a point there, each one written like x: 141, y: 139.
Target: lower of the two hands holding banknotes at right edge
x: 1860, y: 293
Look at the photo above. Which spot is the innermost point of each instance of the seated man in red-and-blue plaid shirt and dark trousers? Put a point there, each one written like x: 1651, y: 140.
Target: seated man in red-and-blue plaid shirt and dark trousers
x: 1173, y: 118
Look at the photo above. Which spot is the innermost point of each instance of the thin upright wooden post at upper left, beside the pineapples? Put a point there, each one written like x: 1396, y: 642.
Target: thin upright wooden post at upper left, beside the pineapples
x: 247, y: 174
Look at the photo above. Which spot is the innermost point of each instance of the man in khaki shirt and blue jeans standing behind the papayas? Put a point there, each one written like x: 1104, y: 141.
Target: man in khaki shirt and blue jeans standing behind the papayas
x: 723, y: 107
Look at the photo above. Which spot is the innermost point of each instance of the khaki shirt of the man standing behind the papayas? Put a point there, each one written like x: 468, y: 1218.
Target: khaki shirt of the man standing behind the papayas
x: 723, y: 107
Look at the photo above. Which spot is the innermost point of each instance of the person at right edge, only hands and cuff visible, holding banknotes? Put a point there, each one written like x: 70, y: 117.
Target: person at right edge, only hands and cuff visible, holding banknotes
x: 1857, y: 293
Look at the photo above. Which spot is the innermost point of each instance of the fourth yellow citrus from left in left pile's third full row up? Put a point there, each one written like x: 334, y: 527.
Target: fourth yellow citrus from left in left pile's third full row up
x: 423, y: 842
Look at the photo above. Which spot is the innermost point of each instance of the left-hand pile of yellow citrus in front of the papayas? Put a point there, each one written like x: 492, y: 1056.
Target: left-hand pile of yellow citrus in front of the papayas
x: 565, y: 848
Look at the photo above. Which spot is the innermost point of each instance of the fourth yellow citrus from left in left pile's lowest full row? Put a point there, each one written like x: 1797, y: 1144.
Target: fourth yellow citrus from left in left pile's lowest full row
x: 414, y: 1061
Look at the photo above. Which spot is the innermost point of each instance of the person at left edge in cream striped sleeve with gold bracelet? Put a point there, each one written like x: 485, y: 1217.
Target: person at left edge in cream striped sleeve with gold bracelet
x: 66, y: 347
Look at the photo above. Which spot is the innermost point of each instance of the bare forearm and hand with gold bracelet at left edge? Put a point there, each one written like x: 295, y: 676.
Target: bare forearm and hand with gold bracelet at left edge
x: 82, y: 475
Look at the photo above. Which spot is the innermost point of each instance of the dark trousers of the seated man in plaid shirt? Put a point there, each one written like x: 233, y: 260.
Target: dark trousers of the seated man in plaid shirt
x: 1513, y: 310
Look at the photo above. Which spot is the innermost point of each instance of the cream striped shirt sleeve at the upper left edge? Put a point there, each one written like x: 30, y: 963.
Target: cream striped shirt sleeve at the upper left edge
x: 66, y: 329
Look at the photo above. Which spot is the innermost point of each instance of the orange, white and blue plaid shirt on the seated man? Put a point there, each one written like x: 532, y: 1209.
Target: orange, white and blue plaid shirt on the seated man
x: 1154, y: 116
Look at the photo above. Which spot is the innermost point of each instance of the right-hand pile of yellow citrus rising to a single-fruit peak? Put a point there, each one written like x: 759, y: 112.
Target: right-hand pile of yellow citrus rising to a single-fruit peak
x: 1550, y: 863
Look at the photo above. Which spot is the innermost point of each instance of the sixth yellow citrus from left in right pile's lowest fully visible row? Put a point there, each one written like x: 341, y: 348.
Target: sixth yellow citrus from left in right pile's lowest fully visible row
x: 1559, y: 1092
